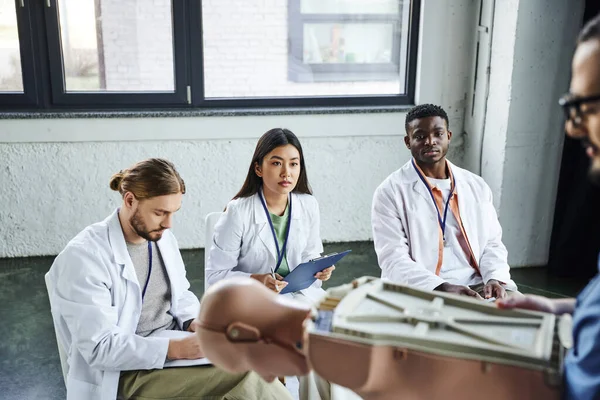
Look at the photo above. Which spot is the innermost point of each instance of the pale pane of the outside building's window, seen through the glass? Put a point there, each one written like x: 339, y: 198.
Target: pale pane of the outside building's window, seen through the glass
x: 344, y: 43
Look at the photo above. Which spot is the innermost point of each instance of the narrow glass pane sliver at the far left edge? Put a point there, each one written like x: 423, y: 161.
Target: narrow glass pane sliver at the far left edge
x: 11, y: 79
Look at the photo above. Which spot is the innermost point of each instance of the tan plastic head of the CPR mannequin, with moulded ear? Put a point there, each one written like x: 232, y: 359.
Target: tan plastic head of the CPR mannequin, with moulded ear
x: 246, y: 327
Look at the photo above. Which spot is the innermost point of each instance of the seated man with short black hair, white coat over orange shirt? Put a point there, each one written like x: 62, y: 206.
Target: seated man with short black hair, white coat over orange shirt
x: 434, y: 224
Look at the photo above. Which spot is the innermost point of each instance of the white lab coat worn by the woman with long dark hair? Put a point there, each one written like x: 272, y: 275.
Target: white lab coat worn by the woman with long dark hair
x: 243, y: 243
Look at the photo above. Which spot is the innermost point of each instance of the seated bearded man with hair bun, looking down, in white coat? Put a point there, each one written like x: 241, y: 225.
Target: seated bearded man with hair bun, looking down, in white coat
x: 121, y: 303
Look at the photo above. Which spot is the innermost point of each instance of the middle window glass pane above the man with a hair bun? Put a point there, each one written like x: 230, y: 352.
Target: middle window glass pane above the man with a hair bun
x: 117, y: 45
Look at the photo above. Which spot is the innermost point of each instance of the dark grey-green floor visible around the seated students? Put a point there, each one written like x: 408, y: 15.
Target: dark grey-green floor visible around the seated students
x: 29, y: 363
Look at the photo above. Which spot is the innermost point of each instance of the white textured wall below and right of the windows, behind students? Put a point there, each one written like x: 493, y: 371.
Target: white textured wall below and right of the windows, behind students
x: 55, y: 173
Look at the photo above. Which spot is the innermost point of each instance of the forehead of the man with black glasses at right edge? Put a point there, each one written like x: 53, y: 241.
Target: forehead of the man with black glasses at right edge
x: 585, y: 80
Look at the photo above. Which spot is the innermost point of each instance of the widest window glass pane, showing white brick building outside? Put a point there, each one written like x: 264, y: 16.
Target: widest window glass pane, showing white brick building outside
x: 260, y: 48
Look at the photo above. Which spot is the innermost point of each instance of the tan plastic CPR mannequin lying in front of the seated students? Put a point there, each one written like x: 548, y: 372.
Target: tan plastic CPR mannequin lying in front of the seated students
x: 244, y: 326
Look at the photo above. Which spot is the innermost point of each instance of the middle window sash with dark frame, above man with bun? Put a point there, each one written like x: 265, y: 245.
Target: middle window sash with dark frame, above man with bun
x: 116, y: 52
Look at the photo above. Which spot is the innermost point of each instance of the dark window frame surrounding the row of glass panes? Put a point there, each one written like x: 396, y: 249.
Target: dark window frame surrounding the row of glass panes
x: 44, y: 82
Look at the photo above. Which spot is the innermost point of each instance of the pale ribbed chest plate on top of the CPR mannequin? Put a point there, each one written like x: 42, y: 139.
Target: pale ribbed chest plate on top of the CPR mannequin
x: 380, y: 313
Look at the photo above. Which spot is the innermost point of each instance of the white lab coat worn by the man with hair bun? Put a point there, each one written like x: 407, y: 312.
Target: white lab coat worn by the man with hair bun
x: 96, y: 305
